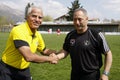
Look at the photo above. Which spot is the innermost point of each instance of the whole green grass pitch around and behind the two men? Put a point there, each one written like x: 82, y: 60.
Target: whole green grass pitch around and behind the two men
x: 61, y: 71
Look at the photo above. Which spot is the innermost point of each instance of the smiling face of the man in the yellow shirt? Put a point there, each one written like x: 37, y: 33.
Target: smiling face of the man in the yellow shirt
x: 34, y: 18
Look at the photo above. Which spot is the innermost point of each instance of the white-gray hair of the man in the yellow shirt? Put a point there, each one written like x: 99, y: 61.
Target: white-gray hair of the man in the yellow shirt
x: 29, y: 7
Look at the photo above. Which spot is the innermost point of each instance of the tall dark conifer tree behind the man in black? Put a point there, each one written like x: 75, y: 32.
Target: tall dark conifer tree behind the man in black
x: 75, y: 5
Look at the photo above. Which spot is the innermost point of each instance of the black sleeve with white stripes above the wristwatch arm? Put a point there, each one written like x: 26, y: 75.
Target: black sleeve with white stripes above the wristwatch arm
x: 104, y: 45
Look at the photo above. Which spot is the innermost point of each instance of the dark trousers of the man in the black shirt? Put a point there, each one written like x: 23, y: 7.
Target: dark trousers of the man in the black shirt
x: 90, y: 76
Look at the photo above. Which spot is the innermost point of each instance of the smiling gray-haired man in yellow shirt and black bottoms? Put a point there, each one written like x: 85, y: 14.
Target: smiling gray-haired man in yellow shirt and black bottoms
x: 24, y: 40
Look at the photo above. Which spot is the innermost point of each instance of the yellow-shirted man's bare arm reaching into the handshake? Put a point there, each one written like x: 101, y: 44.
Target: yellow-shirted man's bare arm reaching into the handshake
x: 32, y: 57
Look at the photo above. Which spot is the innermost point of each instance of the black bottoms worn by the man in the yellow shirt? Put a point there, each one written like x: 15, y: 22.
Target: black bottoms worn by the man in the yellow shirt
x: 9, y: 73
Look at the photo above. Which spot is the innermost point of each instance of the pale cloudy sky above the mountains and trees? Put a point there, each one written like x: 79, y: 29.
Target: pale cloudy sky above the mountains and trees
x: 102, y: 9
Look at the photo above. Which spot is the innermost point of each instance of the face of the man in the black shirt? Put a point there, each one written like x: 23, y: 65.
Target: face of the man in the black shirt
x: 80, y: 21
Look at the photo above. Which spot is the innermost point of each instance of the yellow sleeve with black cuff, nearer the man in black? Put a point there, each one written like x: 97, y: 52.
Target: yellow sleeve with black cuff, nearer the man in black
x: 41, y: 45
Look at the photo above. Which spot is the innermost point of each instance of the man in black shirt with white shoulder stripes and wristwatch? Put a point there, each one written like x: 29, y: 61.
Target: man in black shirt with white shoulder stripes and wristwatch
x: 86, y: 47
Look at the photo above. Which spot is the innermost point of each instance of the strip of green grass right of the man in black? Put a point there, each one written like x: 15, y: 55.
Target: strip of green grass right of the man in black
x: 114, y: 42
